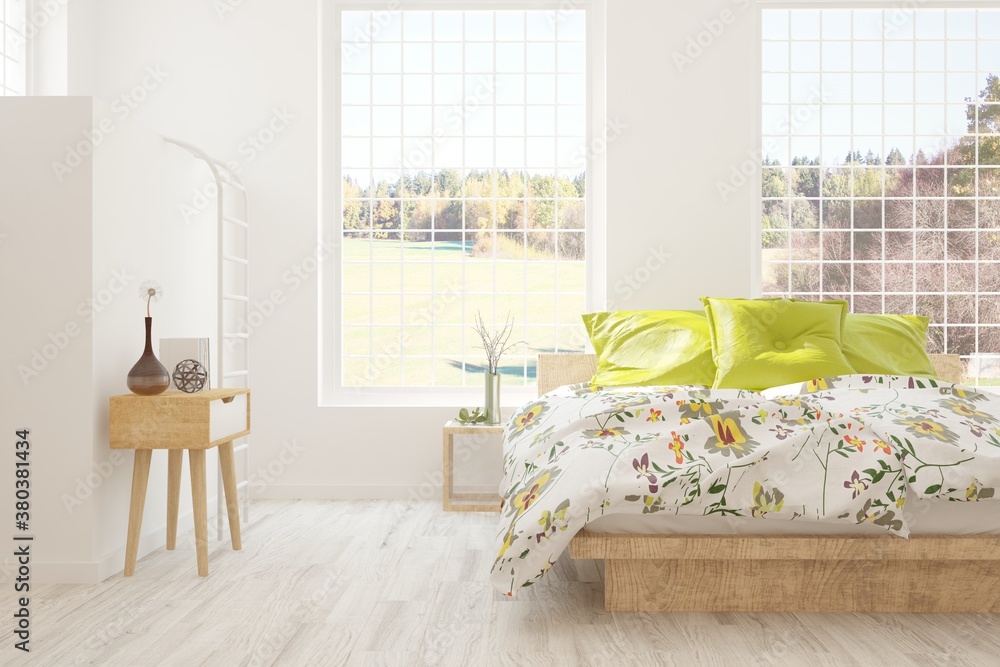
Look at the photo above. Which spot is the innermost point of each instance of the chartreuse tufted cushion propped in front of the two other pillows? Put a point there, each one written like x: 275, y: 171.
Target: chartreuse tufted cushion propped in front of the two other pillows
x: 761, y: 343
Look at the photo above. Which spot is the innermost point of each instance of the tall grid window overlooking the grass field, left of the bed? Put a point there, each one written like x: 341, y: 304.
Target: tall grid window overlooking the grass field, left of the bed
x: 464, y: 169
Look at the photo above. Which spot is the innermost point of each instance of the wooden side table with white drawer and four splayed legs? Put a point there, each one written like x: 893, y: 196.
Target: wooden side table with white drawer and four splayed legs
x: 176, y: 421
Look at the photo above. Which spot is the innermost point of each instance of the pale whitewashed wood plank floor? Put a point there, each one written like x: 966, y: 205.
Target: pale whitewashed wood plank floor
x: 395, y: 583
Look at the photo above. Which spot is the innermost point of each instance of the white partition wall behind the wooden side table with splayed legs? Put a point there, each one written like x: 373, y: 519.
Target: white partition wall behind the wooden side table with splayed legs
x: 85, y: 218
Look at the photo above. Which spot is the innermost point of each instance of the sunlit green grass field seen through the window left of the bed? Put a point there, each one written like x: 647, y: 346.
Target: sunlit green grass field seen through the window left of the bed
x: 394, y: 290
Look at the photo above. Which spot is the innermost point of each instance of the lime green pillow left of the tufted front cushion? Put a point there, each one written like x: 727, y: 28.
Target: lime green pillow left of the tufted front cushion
x: 651, y: 348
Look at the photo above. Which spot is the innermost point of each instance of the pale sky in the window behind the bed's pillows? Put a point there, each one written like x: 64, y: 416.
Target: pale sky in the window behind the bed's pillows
x: 835, y: 81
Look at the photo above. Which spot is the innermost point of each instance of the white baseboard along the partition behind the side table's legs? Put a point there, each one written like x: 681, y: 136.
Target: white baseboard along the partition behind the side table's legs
x: 114, y: 562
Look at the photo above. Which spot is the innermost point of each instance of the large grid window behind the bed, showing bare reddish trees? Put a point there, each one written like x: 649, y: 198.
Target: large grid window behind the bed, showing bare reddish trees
x: 881, y: 167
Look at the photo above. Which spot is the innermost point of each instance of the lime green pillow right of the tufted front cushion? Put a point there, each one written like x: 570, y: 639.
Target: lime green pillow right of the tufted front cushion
x: 888, y: 344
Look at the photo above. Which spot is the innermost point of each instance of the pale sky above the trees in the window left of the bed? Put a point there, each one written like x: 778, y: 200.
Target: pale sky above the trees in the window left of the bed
x: 453, y: 90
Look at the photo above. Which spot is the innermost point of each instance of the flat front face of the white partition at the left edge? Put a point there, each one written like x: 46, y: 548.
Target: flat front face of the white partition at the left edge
x: 45, y: 266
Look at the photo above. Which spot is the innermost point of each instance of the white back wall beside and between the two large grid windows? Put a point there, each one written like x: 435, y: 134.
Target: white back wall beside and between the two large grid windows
x: 228, y: 72
